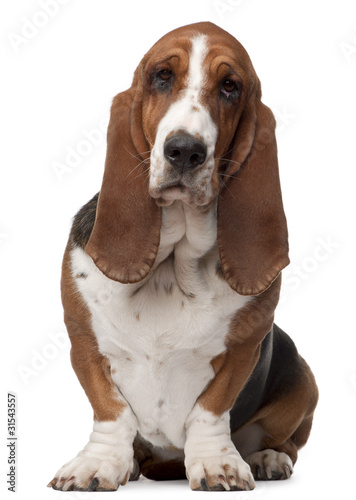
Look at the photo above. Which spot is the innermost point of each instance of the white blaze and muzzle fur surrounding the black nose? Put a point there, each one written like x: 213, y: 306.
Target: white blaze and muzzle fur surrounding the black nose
x: 181, y: 115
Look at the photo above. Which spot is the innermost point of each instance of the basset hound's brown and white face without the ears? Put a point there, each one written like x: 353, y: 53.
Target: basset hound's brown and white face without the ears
x: 194, y: 90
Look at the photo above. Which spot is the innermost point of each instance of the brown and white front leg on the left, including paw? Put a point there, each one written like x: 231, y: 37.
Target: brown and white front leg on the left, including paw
x: 107, y: 460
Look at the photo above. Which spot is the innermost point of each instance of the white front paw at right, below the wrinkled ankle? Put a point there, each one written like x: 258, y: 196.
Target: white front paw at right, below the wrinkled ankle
x: 222, y: 473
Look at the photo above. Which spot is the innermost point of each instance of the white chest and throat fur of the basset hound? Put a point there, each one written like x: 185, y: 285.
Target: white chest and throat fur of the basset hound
x: 160, y: 335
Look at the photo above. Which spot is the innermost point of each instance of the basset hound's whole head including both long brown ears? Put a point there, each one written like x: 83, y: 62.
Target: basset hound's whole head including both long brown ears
x: 193, y: 128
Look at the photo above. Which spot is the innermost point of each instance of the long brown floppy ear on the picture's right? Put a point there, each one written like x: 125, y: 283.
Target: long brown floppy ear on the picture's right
x: 252, y: 228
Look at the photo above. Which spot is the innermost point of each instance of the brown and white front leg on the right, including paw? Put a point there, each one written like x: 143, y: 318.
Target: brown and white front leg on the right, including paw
x: 211, y: 459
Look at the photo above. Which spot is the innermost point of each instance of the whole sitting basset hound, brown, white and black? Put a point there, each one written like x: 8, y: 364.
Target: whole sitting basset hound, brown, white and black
x: 171, y: 277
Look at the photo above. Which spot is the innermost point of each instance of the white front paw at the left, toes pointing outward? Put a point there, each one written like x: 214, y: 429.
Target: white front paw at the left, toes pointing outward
x: 87, y: 472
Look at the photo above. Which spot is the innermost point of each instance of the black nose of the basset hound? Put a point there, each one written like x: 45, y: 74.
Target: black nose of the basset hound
x: 185, y: 151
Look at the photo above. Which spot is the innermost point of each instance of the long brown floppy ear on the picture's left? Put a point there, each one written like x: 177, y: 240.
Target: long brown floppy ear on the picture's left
x: 126, y: 234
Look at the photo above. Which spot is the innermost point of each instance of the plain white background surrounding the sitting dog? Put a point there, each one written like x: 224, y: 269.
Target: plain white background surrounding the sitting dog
x: 57, y: 85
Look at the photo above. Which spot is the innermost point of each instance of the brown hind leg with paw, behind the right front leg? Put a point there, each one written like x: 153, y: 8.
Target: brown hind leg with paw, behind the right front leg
x: 270, y: 441
